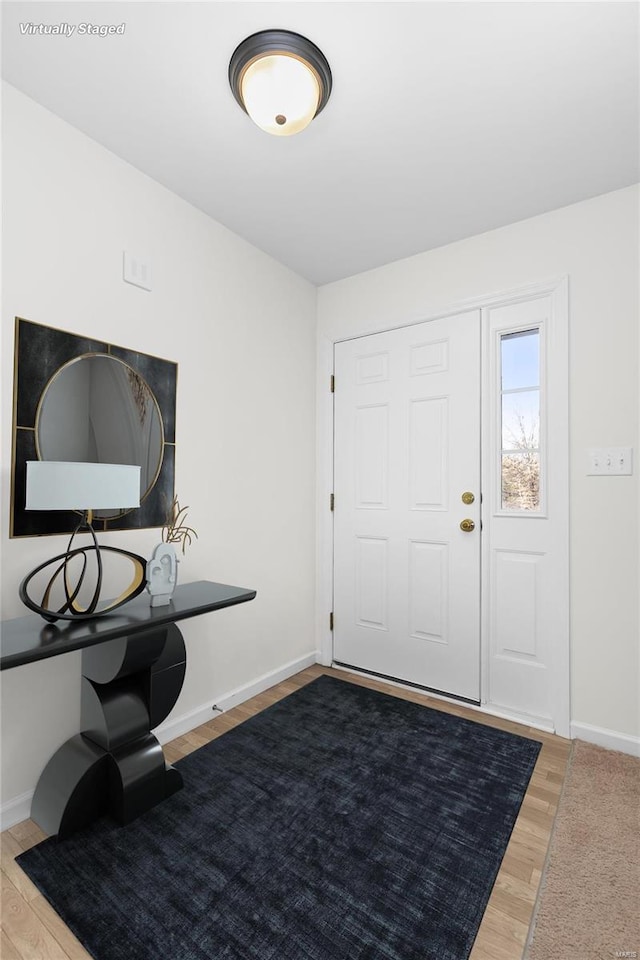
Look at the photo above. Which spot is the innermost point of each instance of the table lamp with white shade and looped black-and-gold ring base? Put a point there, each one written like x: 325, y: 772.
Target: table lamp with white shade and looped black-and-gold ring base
x: 60, y: 485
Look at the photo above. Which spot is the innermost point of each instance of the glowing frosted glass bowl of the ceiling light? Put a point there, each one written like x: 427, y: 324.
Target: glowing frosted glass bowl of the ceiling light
x: 280, y: 93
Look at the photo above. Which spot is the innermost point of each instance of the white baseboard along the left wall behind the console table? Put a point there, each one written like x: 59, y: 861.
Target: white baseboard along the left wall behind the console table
x: 19, y: 809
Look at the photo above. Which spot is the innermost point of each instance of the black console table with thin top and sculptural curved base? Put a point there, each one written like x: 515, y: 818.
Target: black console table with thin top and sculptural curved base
x: 133, y: 666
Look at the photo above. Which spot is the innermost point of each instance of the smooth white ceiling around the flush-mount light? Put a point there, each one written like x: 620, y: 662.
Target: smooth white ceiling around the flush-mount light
x: 446, y: 118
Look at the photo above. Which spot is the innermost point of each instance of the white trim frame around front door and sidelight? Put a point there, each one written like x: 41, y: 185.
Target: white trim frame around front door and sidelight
x: 557, y: 289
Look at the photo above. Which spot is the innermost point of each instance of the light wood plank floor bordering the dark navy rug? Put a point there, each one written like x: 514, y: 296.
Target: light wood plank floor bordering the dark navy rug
x: 31, y: 930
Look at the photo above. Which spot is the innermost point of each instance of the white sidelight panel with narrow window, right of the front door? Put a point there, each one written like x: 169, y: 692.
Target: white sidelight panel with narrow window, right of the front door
x: 527, y: 563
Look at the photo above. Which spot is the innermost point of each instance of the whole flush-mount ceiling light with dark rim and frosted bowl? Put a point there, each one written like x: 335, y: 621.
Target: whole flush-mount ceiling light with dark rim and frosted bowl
x: 281, y: 79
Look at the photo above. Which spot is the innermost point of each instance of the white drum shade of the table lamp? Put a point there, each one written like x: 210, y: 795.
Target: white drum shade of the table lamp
x: 59, y: 485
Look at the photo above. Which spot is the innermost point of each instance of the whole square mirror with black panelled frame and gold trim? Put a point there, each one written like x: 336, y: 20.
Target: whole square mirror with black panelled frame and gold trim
x: 87, y: 400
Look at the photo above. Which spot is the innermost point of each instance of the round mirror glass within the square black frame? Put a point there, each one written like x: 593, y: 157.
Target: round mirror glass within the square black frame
x: 98, y: 409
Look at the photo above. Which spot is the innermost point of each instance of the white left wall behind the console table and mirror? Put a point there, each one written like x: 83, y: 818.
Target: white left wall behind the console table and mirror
x: 242, y: 329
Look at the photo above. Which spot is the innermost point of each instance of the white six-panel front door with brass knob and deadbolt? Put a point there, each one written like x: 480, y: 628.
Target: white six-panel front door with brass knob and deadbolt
x: 407, y: 449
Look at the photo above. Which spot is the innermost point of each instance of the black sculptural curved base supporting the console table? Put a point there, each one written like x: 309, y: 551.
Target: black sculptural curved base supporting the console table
x: 116, y: 766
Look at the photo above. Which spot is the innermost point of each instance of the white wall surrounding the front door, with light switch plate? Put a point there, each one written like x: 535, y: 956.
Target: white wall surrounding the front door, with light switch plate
x: 596, y: 244
